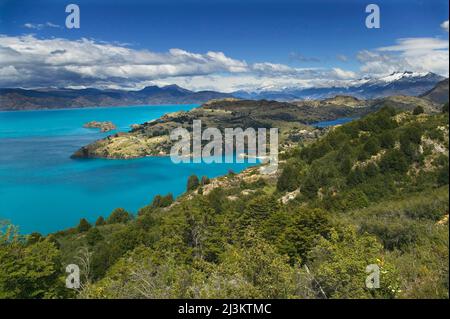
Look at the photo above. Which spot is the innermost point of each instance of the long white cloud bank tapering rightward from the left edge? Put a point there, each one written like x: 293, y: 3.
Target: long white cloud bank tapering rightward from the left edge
x: 27, y: 61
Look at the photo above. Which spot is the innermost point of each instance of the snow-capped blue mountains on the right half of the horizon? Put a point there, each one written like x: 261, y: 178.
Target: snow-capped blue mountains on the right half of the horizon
x: 397, y: 83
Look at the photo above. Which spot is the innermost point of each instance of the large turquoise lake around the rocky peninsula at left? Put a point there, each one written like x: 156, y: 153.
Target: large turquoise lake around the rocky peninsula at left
x: 43, y: 189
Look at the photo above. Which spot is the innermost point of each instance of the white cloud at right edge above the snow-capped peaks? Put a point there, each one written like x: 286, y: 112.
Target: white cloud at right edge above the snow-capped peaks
x: 413, y: 54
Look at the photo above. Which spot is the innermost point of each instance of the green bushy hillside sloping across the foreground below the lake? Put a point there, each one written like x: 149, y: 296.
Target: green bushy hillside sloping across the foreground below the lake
x: 373, y: 191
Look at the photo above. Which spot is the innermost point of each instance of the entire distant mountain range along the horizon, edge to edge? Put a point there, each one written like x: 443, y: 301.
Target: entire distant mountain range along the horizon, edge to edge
x: 398, y: 83
